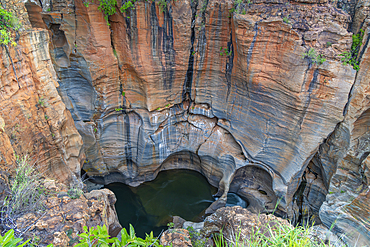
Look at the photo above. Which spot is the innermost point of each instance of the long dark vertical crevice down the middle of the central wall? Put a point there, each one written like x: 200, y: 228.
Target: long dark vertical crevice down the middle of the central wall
x: 186, y: 94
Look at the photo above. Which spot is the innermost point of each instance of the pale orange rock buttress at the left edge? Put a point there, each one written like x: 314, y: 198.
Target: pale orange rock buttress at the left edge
x: 34, y: 121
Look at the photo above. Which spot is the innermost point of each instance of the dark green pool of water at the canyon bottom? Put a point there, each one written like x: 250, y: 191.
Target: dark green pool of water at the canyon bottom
x: 150, y: 206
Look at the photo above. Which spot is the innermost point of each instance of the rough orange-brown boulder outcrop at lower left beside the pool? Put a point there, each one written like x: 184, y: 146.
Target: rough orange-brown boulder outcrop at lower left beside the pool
x: 64, y: 217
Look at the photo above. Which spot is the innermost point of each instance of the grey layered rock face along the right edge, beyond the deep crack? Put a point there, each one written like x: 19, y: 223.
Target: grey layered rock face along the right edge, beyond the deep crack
x: 346, y: 207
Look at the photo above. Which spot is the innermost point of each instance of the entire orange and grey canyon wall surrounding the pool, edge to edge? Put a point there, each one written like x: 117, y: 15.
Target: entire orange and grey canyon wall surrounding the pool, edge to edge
x: 224, y: 88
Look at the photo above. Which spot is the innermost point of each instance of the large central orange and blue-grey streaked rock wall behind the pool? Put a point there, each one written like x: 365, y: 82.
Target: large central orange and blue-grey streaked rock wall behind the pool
x: 227, y: 94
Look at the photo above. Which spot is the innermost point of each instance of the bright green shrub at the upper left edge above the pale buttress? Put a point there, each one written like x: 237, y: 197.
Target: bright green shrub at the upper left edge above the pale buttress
x: 8, y: 25
